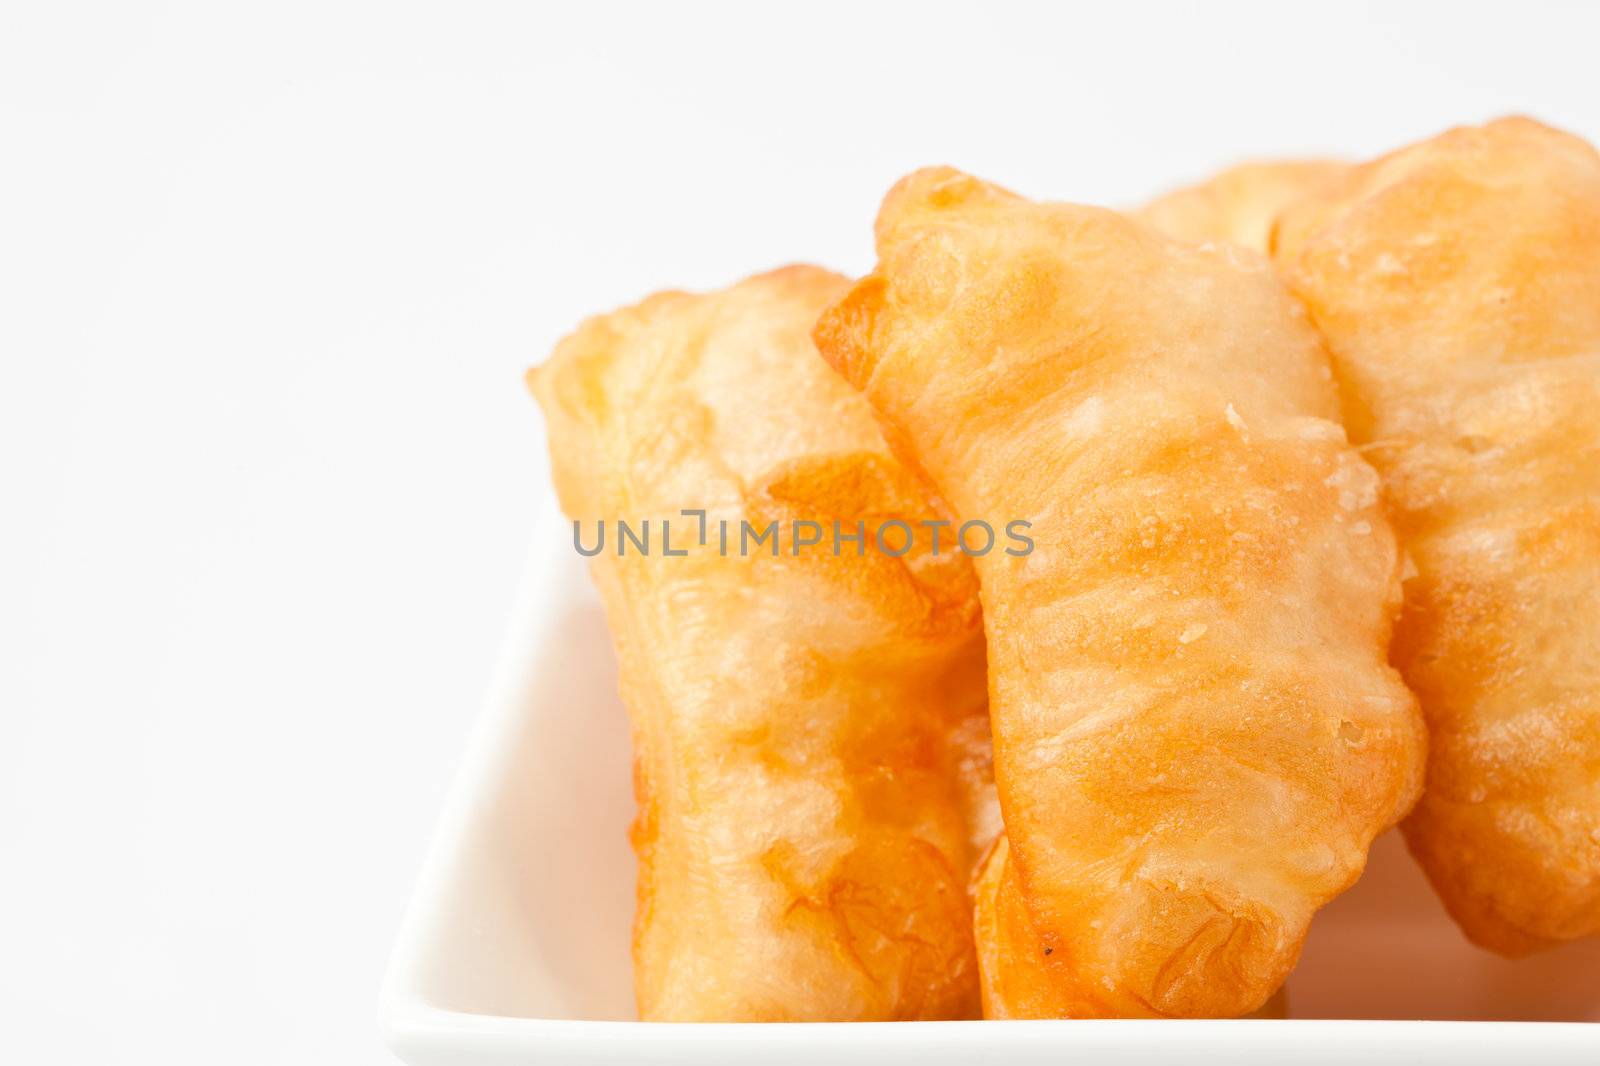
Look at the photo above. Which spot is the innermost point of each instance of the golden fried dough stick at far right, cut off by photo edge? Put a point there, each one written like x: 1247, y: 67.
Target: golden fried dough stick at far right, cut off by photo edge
x: 1458, y: 286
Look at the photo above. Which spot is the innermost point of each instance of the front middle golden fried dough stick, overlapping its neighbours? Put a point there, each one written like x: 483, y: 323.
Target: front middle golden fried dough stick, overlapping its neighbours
x: 1196, y: 731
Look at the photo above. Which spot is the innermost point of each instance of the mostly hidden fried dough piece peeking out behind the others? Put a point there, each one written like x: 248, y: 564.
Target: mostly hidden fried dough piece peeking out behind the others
x: 1241, y: 204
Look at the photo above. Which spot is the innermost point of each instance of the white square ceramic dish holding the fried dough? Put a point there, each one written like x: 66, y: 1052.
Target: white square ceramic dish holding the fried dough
x: 516, y: 948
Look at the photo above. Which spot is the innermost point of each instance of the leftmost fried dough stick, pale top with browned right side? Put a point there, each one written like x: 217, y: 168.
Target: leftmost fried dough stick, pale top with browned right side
x: 802, y: 841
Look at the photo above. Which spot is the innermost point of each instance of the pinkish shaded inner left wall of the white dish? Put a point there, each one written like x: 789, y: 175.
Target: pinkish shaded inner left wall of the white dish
x: 542, y: 915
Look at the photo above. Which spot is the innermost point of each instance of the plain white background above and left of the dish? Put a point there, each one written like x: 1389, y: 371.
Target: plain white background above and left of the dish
x: 270, y: 278
